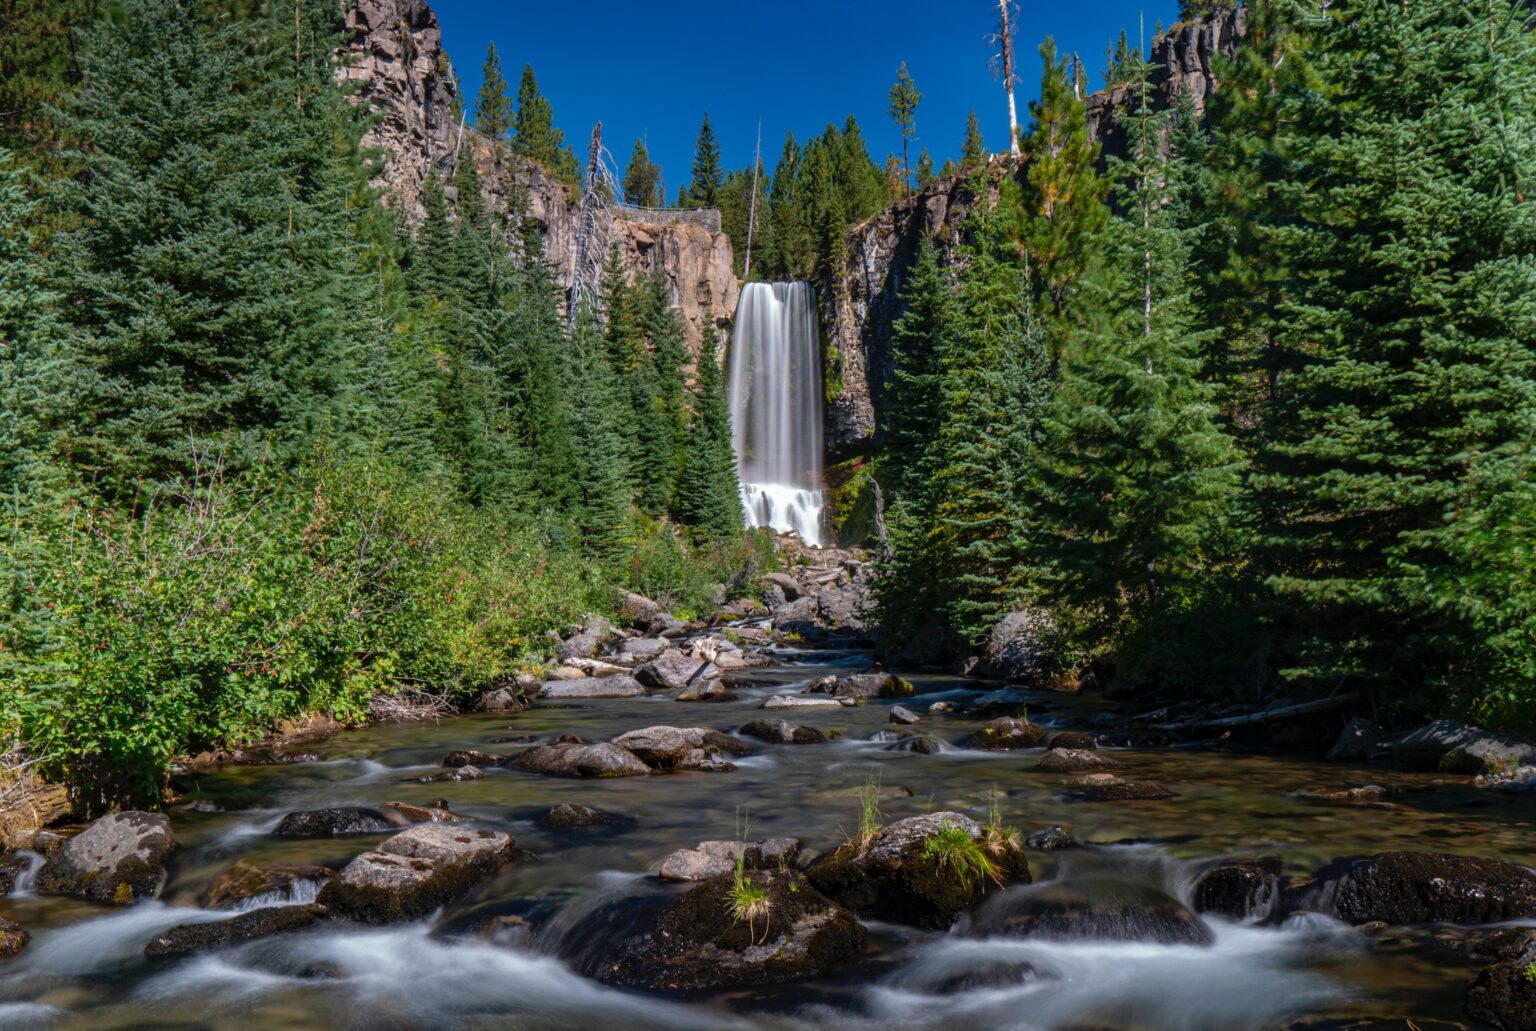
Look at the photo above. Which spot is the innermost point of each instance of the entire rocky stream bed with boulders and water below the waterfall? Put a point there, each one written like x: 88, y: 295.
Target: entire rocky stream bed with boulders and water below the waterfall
x: 916, y: 852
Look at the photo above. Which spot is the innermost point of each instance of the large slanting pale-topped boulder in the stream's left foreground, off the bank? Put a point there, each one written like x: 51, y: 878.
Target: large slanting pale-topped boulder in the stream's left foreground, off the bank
x: 415, y: 872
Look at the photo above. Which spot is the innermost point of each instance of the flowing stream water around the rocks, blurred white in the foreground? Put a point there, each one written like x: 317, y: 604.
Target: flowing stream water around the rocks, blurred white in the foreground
x: 494, y: 960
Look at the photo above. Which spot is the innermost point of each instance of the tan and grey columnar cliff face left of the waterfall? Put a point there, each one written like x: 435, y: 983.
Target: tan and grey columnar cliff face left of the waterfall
x: 399, y: 67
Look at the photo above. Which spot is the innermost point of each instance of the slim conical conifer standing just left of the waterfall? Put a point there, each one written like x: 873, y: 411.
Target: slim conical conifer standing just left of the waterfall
x: 709, y: 494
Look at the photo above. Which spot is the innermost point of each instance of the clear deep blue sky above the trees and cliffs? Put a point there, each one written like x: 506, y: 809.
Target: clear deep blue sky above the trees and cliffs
x: 650, y: 68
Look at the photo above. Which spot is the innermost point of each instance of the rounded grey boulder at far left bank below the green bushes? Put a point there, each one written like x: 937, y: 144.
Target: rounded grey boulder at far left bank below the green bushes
x: 119, y: 860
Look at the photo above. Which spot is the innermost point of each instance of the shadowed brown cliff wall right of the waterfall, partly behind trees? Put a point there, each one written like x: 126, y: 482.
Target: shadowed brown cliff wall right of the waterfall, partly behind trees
x: 861, y: 310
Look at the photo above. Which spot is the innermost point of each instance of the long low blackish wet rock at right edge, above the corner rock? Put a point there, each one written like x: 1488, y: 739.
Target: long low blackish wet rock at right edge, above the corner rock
x: 1429, y: 887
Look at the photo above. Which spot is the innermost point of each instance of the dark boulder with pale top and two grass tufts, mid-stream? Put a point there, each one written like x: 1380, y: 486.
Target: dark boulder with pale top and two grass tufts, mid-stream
x: 901, y: 880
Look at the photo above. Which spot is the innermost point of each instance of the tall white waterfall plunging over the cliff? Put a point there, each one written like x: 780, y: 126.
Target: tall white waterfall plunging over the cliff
x: 776, y: 408
